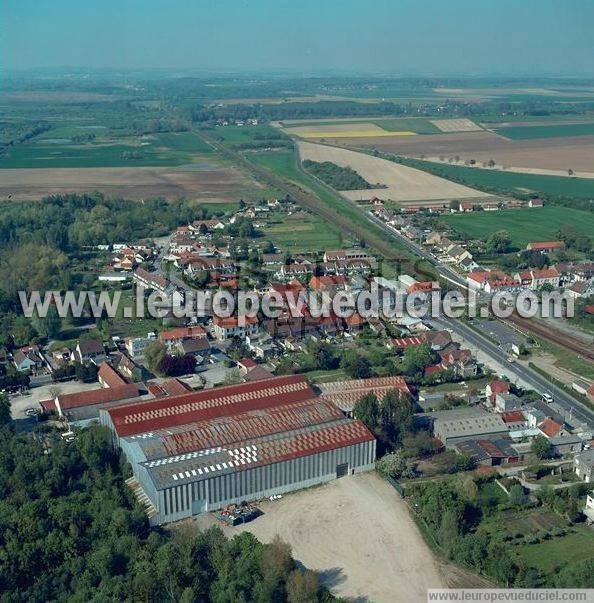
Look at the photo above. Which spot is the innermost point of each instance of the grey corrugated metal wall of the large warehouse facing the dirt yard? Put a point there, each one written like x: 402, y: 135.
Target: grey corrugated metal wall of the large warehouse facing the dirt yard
x: 189, y: 499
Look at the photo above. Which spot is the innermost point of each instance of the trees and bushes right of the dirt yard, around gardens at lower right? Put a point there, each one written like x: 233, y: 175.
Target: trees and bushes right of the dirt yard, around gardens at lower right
x: 453, y: 512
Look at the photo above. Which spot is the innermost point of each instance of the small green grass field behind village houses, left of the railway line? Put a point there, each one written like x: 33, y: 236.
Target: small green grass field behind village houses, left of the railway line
x: 303, y: 232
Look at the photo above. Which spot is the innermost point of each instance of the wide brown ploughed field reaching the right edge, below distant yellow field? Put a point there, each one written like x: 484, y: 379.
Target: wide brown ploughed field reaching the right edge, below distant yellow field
x: 555, y: 154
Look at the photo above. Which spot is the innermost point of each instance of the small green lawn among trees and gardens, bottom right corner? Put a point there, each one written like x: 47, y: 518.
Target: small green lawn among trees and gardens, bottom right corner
x: 558, y: 552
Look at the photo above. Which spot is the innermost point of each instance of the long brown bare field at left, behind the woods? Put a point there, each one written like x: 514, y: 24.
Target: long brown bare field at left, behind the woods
x: 210, y: 182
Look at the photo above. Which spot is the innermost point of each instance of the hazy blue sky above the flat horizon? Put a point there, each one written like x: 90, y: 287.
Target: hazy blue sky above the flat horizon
x: 399, y: 37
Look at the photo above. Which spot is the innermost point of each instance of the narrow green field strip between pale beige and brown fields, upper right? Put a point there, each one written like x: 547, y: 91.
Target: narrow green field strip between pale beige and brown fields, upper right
x: 499, y: 182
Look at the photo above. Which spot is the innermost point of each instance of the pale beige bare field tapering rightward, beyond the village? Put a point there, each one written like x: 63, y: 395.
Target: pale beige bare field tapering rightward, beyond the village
x: 403, y: 183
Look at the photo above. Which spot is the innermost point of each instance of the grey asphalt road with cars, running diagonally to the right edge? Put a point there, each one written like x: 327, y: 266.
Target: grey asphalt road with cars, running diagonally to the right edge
x: 536, y: 381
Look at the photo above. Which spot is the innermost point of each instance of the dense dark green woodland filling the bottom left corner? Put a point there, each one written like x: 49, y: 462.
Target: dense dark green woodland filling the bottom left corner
x: 71, y: 529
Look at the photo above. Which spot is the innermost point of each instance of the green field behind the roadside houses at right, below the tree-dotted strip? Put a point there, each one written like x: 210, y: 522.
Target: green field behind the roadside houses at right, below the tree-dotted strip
x: 524, y: 225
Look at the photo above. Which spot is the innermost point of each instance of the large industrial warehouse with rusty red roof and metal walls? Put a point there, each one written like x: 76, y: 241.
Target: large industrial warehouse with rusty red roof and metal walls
x: 204, y: 450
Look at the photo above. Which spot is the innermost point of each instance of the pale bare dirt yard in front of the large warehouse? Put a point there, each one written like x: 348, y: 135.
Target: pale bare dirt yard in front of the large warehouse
x: 358, y: 534
